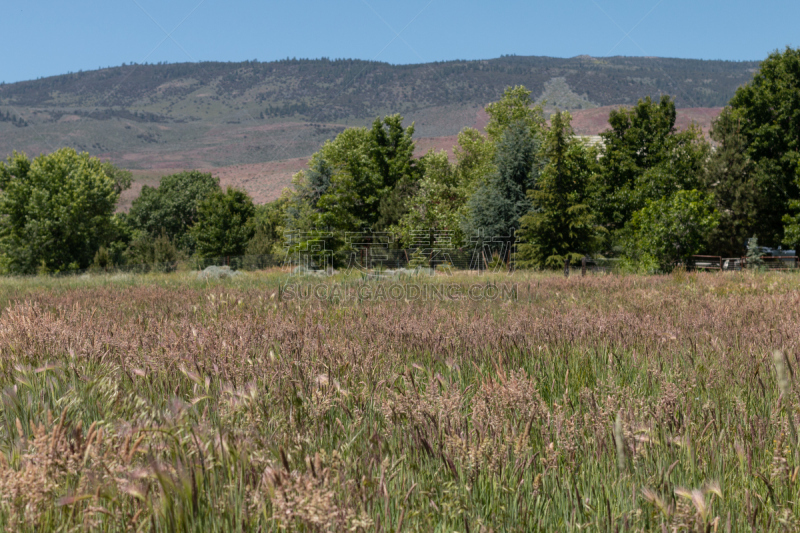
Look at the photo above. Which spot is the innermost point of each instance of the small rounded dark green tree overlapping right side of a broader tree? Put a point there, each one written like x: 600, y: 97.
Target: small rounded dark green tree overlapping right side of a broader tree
x: 224, y: 224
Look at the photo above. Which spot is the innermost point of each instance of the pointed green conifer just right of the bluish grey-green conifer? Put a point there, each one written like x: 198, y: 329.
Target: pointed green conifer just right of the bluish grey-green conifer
x: 561, y: 224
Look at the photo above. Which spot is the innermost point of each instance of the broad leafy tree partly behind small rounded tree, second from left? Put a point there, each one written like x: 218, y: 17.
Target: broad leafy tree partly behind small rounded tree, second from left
x: 172, y: 207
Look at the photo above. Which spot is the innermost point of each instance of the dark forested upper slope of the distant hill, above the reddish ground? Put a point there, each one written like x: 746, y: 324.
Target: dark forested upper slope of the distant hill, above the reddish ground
x: 325, y: 90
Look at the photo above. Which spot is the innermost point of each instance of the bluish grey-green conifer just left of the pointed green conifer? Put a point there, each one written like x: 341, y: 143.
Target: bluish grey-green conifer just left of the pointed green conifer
x: 497, y: 205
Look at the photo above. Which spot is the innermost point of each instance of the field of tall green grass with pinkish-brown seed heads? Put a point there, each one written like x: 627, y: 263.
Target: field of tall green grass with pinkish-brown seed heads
x: 605, y: 403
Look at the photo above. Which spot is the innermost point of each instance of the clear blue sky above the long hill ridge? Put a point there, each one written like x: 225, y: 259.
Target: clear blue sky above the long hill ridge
x: 48, y: 37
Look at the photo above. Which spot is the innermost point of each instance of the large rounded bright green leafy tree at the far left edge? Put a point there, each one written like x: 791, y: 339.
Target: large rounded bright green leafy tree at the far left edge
x: 55, y: 211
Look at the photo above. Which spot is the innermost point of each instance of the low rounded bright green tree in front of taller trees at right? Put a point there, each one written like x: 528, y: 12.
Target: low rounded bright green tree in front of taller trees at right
x: 670, y: 229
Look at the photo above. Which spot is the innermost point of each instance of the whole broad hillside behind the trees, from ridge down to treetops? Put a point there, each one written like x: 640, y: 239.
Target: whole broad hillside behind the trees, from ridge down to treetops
x: 245, y: 115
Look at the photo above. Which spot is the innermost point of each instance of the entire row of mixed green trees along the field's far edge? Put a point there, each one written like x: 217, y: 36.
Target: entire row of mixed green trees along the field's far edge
x: 649, y: 195
